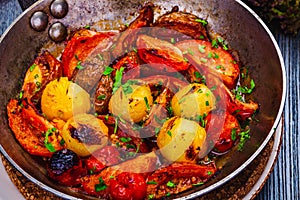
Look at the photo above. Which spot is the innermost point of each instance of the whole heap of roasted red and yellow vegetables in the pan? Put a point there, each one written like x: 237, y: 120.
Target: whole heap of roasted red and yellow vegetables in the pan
x: 143, y: 113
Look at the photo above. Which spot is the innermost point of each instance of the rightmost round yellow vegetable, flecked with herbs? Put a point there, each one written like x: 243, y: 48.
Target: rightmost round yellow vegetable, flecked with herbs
x: 192, y: 101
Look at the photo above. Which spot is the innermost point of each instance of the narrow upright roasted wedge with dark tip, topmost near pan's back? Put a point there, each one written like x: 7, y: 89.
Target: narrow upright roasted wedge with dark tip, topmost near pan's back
x: 126, y: 39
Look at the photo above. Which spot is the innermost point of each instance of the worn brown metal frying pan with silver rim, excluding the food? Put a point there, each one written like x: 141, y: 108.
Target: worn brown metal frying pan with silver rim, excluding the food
x: 241, y: 27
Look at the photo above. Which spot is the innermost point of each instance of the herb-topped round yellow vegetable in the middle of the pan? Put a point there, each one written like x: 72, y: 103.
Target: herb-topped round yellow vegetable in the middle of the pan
x: 131, y: 102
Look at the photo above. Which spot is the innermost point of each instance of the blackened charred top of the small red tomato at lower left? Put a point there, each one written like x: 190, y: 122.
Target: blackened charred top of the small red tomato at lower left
x: 62, y: 161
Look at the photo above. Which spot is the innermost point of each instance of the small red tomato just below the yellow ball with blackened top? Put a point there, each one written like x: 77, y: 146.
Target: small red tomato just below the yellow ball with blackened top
x: 101, y: 158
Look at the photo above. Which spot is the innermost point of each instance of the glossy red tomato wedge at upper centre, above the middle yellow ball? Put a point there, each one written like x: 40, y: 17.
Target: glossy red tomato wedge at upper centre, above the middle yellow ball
x: 165, y: 55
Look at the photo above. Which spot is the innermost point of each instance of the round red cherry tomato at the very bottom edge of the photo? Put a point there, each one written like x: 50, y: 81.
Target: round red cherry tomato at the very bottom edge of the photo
x: 128, y: 186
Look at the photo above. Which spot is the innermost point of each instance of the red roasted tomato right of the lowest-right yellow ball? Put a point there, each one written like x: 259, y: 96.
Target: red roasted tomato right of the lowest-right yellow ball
x: 222, y: 130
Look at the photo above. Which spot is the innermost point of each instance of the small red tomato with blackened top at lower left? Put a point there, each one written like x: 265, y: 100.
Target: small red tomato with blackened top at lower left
x: 66, y: 167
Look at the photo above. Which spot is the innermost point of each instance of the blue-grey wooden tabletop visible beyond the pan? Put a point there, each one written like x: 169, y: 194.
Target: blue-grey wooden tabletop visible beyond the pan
x: 284, y: 182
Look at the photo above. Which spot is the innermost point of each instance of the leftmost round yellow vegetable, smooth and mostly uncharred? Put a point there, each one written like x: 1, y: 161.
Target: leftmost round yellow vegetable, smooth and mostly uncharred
x: 62, y: 99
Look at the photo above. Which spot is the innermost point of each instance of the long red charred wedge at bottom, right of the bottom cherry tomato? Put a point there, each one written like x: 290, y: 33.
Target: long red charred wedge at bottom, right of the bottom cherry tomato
x: 177, y: 177
